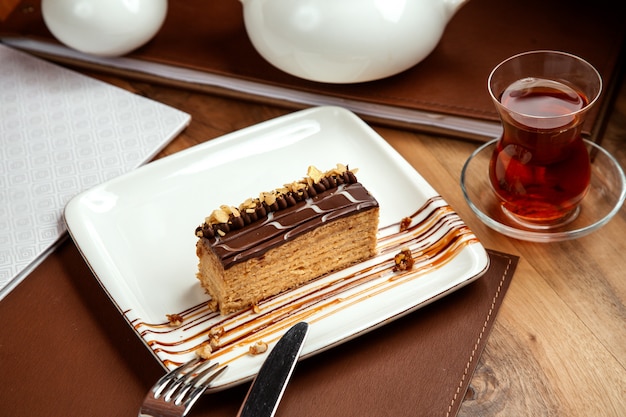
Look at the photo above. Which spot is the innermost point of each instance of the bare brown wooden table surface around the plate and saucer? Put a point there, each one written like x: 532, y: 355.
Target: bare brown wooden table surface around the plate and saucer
x: 558, y: 347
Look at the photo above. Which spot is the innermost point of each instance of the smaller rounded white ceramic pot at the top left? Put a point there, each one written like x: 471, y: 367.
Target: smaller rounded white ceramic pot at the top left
x: 104, y: 27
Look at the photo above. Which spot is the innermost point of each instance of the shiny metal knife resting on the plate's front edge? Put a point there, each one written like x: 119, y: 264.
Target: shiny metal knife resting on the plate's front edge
x: 269, y: 385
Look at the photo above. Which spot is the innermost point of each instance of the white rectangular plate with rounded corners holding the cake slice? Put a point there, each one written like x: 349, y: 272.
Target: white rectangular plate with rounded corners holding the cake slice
x: 136, y: 232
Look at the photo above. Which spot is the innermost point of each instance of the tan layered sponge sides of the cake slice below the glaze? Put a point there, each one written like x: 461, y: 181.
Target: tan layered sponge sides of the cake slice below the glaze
x: 333, y: 246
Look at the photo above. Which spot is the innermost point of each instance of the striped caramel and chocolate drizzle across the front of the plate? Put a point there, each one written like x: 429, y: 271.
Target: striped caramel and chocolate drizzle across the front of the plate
x: 436, y: 235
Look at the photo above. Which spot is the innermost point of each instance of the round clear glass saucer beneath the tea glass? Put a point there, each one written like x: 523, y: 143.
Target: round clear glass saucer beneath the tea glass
x: 604, y: 199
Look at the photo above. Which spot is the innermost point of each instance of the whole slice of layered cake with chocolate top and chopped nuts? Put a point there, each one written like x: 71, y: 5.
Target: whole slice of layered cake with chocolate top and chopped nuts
x: 285, y: 238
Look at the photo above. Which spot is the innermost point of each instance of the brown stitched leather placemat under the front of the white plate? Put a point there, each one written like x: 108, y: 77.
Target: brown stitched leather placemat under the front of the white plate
x: 66, y: 351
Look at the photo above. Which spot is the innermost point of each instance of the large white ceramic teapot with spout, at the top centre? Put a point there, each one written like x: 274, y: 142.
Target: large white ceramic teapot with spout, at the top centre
x: 346, y: 41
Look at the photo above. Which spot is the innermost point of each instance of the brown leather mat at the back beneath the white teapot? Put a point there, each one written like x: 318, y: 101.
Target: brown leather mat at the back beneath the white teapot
x: 210, y: 37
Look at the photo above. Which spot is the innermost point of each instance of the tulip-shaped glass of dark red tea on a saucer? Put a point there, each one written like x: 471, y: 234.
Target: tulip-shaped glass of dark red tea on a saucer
x: 540, y: 168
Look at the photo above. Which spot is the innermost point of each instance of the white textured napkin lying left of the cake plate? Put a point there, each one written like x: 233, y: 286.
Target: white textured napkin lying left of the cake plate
x: 61, y: 133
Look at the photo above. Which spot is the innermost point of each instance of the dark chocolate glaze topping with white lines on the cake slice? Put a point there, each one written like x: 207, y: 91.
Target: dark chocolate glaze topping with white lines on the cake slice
x: 254, y: 232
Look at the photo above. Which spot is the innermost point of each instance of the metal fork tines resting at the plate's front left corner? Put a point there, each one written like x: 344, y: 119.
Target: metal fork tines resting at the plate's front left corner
x: 176, y: 392
